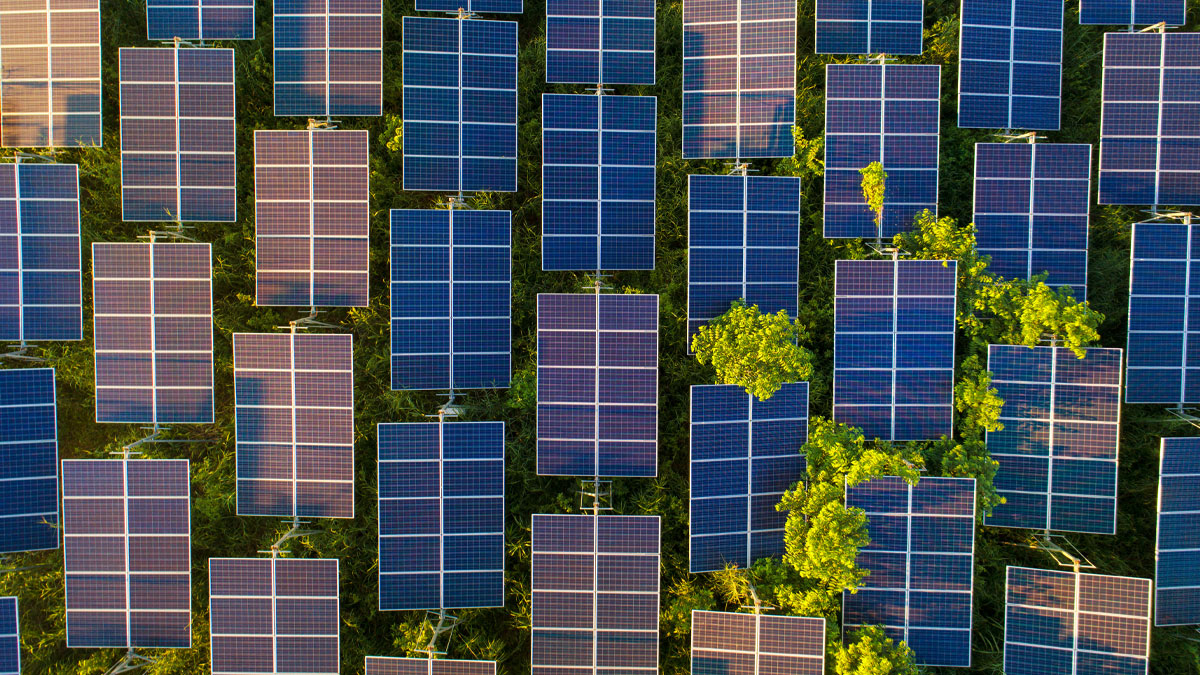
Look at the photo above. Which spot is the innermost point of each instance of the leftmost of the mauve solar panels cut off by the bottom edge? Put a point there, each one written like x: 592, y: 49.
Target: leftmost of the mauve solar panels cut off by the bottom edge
x: 274, y: 616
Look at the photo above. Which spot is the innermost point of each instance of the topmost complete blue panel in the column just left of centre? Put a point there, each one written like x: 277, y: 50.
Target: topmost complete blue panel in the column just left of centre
x: 460, y: 105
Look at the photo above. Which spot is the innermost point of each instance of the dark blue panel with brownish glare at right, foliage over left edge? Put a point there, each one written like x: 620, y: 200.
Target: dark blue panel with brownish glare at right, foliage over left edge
x: 1058, y: 452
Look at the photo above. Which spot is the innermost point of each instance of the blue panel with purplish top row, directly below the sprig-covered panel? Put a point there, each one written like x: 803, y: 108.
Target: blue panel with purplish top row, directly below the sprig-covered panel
x: 895, y: 348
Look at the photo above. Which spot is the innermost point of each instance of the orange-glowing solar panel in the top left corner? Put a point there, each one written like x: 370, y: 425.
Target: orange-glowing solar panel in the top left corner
x: 50, y: 83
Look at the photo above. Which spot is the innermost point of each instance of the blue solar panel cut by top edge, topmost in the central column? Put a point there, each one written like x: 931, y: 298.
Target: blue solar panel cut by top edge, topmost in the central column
x: 601, y: 43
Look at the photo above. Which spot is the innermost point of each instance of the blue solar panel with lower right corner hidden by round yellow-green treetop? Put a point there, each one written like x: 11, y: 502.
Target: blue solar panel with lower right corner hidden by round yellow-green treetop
x: 743, y: 244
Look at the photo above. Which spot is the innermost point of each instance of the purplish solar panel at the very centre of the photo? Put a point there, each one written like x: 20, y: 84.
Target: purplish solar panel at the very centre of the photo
x: 598, y: 386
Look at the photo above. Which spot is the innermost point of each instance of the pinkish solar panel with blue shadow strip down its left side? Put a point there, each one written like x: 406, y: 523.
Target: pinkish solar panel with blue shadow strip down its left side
x: 295, y: 402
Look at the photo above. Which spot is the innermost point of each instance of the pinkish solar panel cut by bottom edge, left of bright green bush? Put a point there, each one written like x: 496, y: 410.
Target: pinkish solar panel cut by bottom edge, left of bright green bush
x: 724, y: 643
